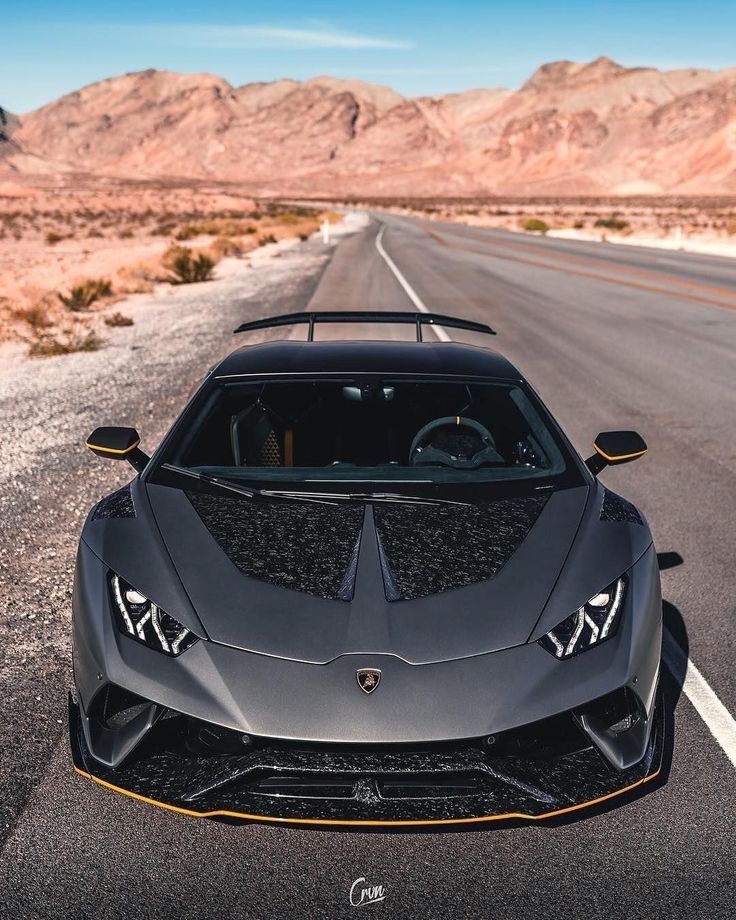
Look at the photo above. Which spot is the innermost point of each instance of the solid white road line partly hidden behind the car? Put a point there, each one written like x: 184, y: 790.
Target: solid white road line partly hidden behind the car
x: 696, y: 688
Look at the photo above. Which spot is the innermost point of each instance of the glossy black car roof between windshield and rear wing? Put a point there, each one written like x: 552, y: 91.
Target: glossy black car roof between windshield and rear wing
x: 368, y: 357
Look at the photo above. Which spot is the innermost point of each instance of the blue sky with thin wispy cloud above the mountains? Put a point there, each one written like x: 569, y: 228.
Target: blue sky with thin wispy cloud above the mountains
x: 48, y: 47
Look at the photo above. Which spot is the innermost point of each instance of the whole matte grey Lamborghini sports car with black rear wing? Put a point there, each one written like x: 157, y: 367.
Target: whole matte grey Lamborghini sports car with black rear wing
x: 366, y: 583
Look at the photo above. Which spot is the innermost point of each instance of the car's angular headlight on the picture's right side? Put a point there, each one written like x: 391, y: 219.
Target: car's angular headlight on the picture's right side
x: 590, y: 625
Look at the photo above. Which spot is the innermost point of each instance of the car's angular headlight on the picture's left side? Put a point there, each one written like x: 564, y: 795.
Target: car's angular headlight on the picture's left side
x: 143, y: 621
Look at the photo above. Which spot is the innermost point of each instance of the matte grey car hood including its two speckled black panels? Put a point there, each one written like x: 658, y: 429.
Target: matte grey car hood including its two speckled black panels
x: 311, y: 582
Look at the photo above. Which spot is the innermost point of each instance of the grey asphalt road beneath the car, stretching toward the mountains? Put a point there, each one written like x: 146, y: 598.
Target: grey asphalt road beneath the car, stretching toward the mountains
x: 611, y: 337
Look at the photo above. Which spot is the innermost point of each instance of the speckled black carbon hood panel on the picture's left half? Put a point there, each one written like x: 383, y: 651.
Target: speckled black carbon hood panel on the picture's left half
x: 303, y: 546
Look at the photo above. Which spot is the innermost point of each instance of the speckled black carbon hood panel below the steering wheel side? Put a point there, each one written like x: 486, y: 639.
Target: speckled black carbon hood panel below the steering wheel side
x: 427, y: 549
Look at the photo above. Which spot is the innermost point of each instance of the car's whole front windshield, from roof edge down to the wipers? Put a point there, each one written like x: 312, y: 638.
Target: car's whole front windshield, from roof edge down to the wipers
x: 369, y: 433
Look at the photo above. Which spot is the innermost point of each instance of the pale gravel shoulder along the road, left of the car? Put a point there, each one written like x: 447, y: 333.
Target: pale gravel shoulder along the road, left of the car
x: 48, y: 481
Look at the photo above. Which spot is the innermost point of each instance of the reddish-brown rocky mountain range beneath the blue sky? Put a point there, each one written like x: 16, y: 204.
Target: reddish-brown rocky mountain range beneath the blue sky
x: 591, y: 128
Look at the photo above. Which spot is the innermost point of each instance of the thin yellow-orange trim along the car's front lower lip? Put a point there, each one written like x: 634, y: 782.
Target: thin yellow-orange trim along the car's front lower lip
x: 367, y: 823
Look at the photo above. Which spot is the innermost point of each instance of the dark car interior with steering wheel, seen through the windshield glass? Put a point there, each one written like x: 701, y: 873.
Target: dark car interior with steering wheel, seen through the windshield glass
x: 367, y: 422
